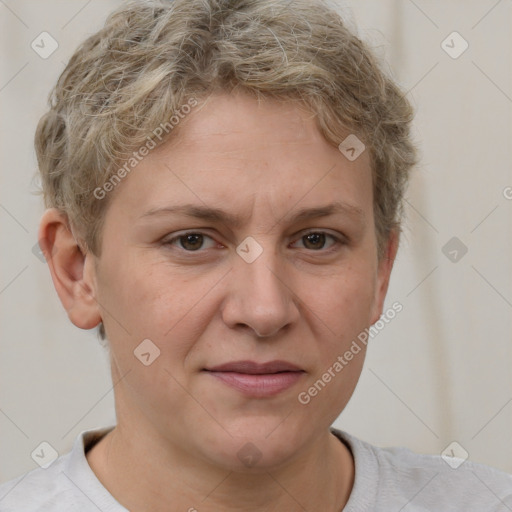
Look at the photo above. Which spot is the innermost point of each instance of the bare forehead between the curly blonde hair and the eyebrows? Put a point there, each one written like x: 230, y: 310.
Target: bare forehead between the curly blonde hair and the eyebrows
x: 234, y: 151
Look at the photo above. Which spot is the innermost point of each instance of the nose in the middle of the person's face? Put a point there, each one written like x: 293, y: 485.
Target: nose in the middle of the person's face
x: 260, y: 296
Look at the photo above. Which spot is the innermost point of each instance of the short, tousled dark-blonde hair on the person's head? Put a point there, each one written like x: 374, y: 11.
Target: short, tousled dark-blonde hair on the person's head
x: 152, y: 57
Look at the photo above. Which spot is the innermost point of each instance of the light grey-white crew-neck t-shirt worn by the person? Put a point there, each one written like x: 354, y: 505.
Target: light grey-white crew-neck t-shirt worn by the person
x: 386, y: 480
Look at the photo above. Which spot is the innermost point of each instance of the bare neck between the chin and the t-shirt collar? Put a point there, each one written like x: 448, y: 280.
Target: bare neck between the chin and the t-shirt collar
x: 144, y: 475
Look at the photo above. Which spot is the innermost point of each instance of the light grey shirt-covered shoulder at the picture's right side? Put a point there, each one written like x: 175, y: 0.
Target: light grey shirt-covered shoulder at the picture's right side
x: 399, y: 477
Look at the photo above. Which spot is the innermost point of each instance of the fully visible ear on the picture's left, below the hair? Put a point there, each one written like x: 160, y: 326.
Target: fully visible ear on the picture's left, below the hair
x: 72, y: 270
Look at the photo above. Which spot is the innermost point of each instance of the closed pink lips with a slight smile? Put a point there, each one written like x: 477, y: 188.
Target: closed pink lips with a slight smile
x: 257, y: 380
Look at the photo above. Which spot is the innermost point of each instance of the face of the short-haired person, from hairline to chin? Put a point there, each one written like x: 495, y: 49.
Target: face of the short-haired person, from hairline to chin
x: 217, y: 249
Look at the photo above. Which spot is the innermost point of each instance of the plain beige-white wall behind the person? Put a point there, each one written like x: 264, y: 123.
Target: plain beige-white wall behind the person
x: 441, y: 371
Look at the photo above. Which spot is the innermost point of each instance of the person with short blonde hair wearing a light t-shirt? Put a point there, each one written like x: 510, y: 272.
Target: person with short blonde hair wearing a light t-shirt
x: 224, y: 184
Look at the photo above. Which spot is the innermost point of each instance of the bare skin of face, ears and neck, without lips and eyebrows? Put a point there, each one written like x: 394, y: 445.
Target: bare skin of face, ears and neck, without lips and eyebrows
x: 304, y: 301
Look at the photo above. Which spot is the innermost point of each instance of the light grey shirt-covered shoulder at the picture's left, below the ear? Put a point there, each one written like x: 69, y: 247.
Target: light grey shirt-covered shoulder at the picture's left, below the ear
x: 67, y: 484
